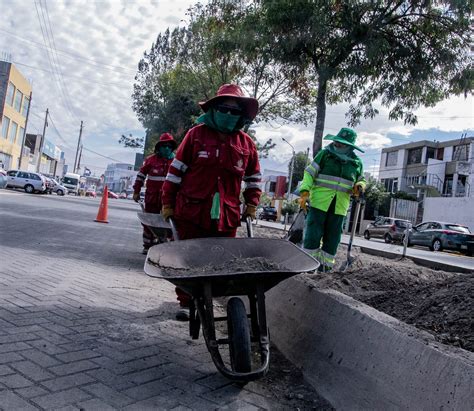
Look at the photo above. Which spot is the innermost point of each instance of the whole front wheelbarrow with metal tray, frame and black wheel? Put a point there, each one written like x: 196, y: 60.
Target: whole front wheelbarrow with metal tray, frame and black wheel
x: 208, y: 268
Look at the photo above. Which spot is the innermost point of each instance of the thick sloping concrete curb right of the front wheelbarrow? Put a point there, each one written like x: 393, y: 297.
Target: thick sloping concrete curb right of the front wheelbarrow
x: 360, y: 358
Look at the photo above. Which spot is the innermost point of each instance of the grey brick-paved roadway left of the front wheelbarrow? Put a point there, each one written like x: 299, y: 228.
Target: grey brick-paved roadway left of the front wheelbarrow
x: 83, y: 328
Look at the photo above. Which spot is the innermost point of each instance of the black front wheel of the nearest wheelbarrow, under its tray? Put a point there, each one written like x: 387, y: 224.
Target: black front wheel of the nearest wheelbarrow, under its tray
x: 239, y: 336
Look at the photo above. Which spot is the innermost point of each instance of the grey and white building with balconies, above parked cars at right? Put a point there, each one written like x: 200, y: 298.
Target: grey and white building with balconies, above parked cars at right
x: 429, y: 168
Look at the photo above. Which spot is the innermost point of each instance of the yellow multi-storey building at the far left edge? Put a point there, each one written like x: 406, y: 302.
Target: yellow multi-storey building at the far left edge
x: 15, y: 93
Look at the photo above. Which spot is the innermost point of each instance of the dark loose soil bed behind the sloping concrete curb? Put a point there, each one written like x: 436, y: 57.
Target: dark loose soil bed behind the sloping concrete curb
x: 439, y: 302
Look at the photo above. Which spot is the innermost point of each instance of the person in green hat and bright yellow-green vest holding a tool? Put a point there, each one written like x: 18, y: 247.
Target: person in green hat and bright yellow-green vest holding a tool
x: 334, y: 175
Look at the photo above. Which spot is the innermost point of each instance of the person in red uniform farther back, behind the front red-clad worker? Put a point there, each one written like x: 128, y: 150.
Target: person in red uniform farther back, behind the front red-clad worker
x: 154, y: 170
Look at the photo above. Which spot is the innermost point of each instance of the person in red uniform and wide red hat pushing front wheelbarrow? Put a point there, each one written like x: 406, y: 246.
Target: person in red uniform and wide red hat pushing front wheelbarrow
x: 204, y: 182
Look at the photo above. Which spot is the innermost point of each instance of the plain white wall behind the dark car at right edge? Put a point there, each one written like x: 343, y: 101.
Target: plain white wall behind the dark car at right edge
x: 450, y: 209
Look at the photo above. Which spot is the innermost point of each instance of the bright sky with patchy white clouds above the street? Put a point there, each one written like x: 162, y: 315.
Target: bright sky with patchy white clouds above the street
x: 82, y: 58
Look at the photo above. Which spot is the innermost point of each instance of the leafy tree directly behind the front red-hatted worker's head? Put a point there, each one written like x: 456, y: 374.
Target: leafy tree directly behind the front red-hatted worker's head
x: 222, y: 43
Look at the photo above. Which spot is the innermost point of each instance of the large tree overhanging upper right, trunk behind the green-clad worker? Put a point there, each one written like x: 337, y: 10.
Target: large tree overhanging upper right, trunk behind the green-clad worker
x: 402, y: 54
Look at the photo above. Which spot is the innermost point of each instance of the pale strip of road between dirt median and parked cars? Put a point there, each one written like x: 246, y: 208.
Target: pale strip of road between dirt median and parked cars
x: 445, y: 257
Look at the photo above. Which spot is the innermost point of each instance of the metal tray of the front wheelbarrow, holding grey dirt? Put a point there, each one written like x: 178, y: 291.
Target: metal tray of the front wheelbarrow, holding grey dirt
x: 184, y: 263
